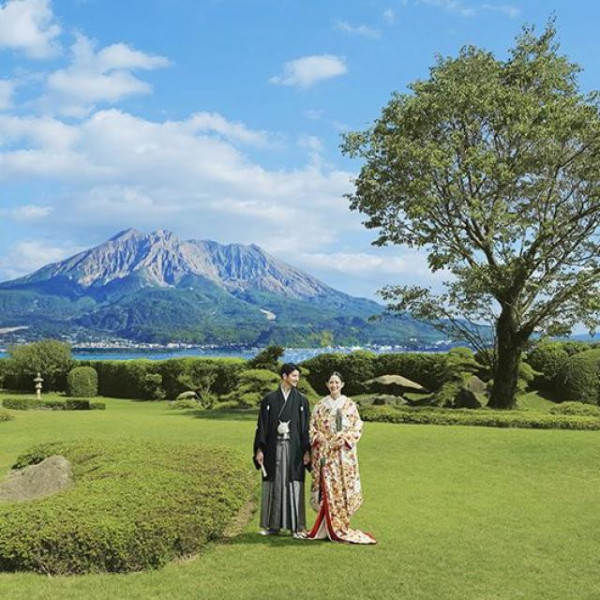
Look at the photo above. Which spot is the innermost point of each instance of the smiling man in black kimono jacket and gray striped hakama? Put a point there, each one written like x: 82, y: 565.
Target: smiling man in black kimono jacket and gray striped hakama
x: 282, y: 452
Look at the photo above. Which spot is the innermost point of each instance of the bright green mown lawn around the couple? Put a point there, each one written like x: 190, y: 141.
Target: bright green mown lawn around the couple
x: 465, y: 513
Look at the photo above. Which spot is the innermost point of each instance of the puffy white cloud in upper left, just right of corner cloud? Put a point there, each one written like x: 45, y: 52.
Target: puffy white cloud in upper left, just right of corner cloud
x: 97, y: 77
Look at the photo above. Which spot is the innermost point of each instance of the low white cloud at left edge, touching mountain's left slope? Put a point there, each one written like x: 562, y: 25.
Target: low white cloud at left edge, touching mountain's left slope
x: 29, y: 255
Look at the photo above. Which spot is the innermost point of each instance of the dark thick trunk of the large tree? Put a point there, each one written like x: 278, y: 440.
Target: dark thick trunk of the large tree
x: 508, y: 356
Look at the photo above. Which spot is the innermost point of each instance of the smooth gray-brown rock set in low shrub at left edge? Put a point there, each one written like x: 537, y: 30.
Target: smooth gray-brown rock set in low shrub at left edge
x: 36, y: 481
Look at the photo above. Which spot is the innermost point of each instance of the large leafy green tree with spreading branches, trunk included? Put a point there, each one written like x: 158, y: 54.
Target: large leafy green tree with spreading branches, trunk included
x: 493, y: 168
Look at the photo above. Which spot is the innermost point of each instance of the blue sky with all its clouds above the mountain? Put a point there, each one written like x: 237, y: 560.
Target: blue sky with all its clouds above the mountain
x: 221, y: 119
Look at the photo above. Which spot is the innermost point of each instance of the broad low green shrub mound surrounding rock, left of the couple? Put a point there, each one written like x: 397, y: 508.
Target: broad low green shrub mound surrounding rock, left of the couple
x: 133, y: 506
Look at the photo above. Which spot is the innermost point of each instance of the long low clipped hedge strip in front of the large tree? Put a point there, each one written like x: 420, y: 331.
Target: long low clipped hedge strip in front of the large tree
x: 483, y: 418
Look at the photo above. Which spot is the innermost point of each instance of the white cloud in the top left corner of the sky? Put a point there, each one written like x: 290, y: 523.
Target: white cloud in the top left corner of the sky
x: 29, y: 26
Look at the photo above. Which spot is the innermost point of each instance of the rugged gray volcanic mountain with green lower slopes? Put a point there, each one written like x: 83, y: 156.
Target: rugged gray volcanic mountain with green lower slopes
x: 155, y: 287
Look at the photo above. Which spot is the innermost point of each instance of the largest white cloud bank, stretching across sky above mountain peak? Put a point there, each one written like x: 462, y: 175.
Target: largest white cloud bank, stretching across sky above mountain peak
x: 116, y: 170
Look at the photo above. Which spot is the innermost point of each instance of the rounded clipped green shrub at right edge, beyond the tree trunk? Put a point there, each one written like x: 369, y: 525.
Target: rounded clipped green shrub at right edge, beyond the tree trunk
x: 579, y: 377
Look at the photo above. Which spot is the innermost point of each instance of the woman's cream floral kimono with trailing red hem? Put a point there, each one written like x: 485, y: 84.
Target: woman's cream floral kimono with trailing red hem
x: 335, y: 429
